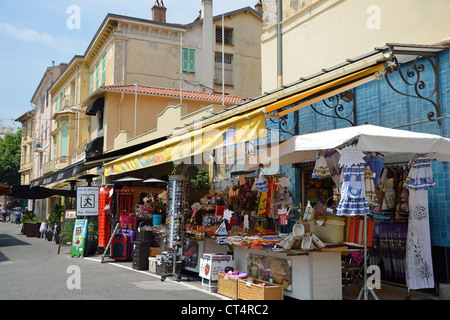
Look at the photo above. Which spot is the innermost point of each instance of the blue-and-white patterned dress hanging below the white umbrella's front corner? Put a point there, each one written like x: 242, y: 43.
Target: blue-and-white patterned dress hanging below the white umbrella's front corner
x: 353, y: 192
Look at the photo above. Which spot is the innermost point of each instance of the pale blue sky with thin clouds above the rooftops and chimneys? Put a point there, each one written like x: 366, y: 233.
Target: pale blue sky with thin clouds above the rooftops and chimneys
x: 33, y: 33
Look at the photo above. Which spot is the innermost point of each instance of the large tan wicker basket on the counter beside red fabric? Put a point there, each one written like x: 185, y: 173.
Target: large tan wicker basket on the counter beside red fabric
x: 331, y: 232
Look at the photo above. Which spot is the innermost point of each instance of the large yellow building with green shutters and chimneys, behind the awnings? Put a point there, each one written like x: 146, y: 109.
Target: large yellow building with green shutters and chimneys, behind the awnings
x: 139, y: 53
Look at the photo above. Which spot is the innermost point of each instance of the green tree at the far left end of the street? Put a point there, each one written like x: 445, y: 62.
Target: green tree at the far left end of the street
x: 10, y: 158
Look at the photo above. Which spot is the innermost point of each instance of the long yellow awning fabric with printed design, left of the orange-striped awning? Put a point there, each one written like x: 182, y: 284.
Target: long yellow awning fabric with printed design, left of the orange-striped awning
x: 230, y: 131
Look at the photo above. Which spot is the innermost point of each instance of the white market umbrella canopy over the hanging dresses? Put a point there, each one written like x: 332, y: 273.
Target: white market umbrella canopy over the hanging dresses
x: 395, y: 145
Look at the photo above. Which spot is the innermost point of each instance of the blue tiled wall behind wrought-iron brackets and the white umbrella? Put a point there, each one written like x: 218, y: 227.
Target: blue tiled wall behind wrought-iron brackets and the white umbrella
x: 378, y: 104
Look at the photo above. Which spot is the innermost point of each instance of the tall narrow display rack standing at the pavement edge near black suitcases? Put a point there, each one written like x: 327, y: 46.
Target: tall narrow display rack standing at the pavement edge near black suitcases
x: 177, y: 188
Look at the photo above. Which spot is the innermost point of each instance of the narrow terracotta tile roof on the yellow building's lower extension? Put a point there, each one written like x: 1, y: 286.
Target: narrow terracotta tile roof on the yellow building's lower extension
x: 169, y: 92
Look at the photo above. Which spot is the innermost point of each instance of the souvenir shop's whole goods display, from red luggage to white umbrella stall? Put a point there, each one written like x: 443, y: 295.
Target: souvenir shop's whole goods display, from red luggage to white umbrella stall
x: 367, y: 206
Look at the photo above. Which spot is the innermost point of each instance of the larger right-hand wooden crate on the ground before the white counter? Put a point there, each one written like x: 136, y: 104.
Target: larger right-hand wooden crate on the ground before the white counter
x: 255, y: 291
